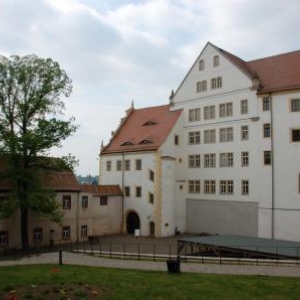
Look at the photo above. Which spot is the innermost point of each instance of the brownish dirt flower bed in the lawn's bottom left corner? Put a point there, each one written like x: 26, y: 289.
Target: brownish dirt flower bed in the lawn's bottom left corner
x: 59, y: 292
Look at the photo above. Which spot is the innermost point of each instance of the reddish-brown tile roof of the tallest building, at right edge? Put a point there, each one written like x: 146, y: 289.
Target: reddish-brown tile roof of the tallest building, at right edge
x: 275, y: 73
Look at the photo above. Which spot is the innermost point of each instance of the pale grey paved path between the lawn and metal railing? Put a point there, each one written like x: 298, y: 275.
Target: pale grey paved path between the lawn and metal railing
x: 88, y: 260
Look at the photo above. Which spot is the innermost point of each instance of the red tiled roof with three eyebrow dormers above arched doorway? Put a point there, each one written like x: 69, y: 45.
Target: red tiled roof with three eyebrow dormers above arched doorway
x: 144, y: 129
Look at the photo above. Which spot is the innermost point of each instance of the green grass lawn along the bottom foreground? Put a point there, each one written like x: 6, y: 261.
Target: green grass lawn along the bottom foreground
x: 41, y: 282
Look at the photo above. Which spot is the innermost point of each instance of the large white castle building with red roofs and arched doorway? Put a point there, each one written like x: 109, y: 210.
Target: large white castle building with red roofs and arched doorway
x: 220, y: 158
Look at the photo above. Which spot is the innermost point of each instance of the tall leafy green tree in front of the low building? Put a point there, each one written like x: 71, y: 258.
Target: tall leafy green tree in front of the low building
x: 31, y: 123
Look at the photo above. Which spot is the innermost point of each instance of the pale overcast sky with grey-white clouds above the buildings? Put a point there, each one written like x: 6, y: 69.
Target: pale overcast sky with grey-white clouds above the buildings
x: 116, y: 51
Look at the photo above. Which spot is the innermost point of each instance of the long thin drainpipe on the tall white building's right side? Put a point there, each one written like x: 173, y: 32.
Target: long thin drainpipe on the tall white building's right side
x: 273, y: 171
